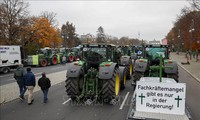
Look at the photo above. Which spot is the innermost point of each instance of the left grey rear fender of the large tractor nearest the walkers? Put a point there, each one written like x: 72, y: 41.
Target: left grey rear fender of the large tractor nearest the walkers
x: 74, y: 70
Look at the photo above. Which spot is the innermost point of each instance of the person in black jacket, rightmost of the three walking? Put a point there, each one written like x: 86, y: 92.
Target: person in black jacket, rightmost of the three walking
x: 44, y: 84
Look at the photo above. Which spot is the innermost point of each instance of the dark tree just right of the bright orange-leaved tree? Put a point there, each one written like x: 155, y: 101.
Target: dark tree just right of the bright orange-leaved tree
x: 68, y: 32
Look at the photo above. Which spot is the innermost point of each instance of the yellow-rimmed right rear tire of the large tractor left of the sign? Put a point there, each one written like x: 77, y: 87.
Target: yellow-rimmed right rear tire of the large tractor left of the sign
x: 111, y: 87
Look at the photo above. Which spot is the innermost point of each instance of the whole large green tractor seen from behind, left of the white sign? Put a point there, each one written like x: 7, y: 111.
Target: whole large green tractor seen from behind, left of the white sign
x: 97, y: 75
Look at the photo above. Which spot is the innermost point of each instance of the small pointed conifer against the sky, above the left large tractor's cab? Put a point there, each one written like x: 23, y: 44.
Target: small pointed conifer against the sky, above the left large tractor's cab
x: 100, y: 35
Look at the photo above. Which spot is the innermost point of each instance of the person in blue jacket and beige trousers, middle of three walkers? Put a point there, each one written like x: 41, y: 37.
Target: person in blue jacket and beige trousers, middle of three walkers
x: 29, y: 80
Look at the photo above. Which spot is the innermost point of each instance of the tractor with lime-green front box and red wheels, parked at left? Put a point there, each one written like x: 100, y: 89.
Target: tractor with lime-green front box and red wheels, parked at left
x: 44, y: 57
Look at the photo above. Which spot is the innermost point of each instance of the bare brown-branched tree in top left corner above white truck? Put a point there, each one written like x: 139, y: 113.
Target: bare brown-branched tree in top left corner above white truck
x: 11, y: 13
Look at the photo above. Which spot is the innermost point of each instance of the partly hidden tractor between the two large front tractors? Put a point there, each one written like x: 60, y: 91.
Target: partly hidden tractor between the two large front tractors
x: 125, y: 60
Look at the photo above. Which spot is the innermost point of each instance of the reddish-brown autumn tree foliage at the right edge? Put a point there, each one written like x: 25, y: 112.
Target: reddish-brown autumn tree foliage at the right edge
x: 181, y: 36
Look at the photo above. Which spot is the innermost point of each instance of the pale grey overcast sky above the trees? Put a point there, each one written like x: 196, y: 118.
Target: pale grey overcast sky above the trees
x: 152, y: 19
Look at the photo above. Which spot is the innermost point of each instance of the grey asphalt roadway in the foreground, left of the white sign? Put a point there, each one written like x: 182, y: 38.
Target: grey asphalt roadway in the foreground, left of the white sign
x: 56, y: 110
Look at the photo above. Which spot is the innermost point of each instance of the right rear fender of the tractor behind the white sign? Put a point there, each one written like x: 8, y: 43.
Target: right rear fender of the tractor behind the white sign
x: 171, y: 67
